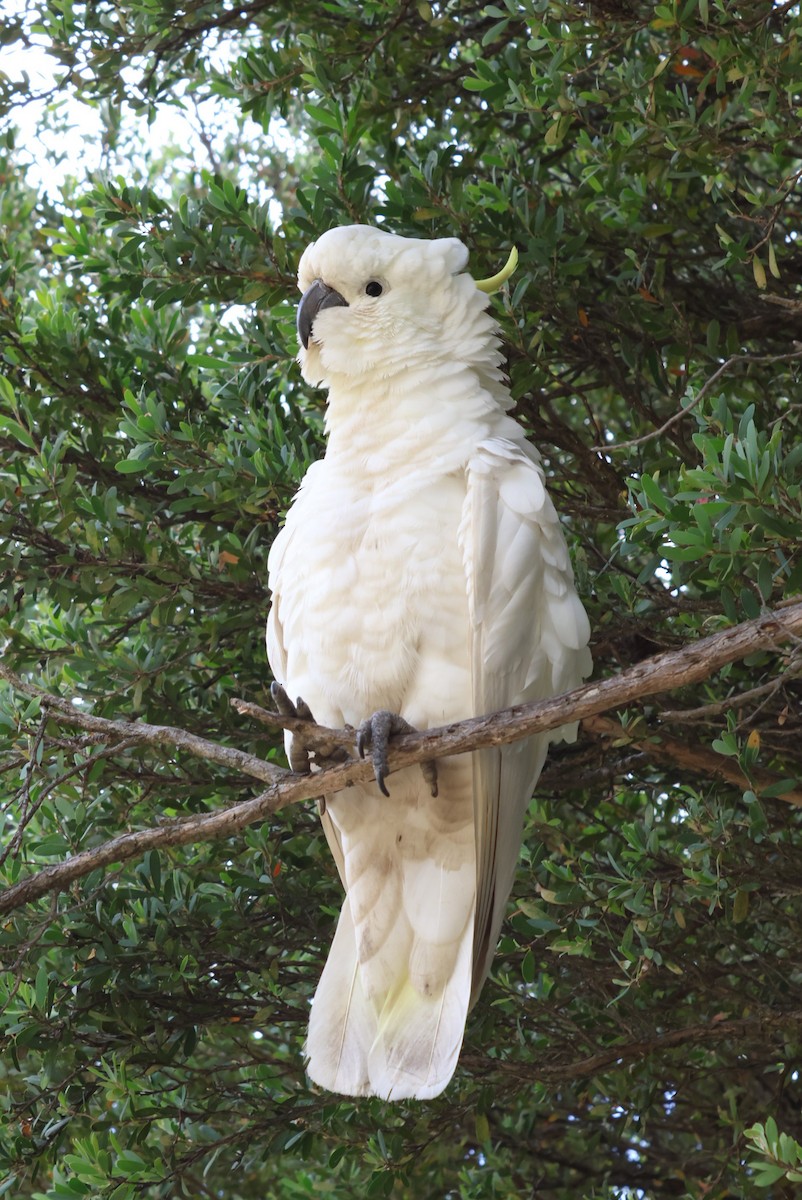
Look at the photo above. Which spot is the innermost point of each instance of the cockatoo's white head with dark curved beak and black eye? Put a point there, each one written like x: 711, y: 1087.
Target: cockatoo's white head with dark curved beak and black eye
x: 376, y: 303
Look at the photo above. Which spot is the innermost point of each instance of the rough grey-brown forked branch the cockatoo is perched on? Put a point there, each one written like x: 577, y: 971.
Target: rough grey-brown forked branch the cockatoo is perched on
x: 665, y: 673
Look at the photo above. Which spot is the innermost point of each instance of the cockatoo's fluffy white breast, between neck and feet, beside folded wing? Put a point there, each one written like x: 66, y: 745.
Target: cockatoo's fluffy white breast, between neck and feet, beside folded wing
x: 373, y: 597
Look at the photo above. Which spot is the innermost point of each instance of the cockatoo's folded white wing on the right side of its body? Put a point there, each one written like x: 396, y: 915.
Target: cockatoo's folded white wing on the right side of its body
x: 529, y: 639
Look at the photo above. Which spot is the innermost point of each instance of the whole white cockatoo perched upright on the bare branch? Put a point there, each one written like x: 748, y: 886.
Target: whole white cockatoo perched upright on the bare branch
x: 422, y: 572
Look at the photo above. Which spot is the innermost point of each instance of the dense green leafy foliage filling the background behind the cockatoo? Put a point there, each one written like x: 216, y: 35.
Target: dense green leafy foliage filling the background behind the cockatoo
x: 641, y: 1033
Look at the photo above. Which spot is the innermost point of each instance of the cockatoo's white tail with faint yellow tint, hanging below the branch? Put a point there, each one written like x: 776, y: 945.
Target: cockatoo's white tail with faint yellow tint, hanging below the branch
x: 390, y: 1012
